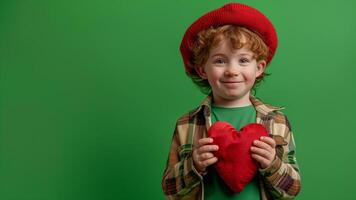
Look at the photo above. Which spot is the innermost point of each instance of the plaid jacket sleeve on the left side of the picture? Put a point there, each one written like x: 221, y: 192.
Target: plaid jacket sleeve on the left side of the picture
x: 180, y: 178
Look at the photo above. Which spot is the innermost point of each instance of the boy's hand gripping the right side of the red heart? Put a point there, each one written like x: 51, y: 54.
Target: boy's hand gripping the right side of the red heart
x: 264, y: 151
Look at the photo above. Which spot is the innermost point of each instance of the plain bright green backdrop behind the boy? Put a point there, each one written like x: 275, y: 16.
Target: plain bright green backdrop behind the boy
x: 91, y: 90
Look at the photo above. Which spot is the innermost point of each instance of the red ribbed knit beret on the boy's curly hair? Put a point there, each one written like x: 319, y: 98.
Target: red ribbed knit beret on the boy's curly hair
x: 235, y: 14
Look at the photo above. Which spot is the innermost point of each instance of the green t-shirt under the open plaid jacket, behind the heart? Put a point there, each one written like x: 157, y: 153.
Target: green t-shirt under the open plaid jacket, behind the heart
x: 215, y: 187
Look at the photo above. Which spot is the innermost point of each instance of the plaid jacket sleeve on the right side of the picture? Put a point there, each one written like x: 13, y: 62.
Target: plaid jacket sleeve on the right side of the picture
x: 282, y: 178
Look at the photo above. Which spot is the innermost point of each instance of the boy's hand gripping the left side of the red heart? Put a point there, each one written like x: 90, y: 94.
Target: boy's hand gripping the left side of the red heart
x: 202, y: 154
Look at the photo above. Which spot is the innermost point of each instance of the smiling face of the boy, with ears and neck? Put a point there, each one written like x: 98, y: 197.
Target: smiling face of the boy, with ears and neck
x: 231, y: 73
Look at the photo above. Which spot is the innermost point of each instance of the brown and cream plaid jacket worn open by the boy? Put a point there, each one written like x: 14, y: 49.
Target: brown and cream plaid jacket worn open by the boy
x: 279, y: 181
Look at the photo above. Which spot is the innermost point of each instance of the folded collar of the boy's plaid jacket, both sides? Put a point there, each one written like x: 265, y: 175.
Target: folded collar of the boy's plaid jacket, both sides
x: 260, y: 107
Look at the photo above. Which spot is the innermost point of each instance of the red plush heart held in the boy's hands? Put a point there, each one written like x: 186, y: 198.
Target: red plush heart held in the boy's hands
x: 235, y: 164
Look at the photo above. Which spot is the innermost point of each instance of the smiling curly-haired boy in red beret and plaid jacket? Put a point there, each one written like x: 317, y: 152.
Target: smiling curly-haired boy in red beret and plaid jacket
x: 225, y: 52
